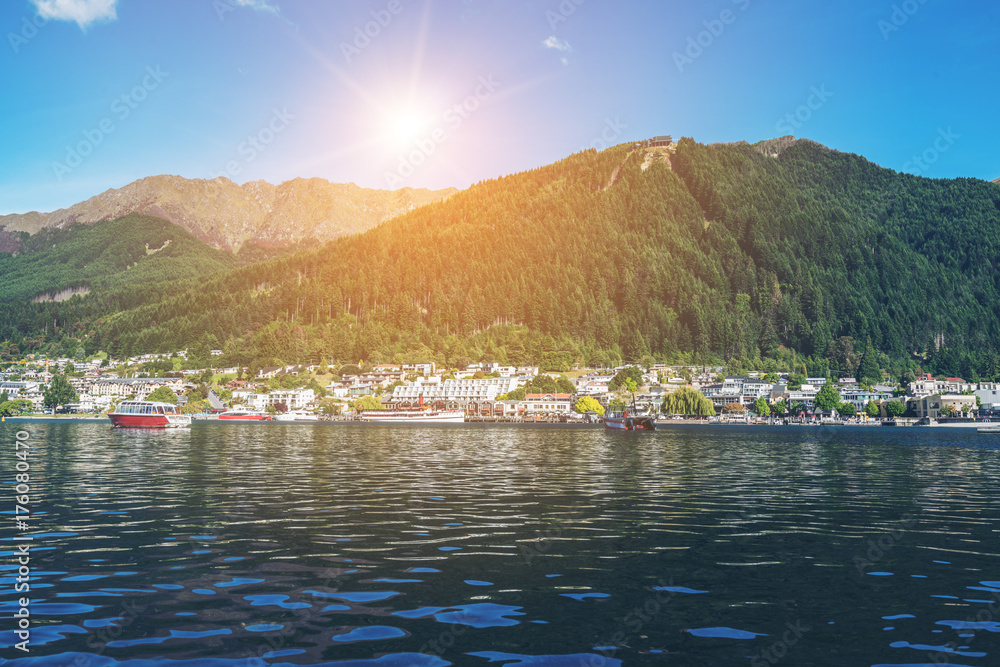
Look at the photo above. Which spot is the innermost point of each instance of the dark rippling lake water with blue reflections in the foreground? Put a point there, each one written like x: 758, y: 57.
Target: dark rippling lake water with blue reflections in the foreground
x: 289, y: 544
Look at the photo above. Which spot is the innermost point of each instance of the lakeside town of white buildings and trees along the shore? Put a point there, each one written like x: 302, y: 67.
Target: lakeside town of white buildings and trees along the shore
x: 481, y: 391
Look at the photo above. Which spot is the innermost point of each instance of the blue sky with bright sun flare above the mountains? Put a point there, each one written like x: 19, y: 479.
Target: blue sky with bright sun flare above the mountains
x: 438, y: 93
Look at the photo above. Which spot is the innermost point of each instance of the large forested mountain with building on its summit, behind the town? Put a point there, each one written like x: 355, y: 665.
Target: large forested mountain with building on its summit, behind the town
x: 785, y: 254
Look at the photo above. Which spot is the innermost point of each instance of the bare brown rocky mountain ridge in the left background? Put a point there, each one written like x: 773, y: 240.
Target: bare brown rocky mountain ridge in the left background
x: 229, y: 216
